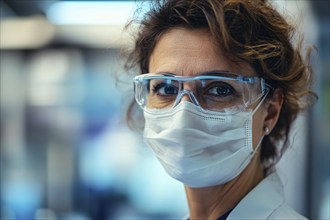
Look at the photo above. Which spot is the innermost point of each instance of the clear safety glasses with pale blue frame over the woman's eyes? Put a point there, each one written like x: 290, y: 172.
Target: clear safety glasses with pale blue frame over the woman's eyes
x: 229, y: 93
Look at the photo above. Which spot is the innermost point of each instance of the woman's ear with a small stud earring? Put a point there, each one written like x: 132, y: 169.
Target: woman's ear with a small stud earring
x: 274, y: 106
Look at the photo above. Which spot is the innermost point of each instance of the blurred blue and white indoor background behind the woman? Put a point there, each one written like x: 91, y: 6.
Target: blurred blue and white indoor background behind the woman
x: 66, y: 152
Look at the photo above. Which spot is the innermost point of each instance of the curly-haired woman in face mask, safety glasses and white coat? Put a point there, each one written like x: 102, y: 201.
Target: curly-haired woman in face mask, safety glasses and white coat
x: 220, y: 84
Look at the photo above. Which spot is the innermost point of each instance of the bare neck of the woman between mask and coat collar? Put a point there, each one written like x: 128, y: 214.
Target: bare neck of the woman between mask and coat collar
x: 213, y: 202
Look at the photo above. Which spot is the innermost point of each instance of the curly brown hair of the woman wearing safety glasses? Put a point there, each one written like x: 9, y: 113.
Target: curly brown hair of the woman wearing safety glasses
x: 250, y: 30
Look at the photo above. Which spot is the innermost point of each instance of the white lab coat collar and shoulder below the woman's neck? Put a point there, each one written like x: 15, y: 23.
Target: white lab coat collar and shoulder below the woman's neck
x: 265, y: 201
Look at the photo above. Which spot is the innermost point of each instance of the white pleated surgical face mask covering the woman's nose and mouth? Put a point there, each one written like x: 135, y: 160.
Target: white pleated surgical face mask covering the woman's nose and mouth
x: 200, y: 148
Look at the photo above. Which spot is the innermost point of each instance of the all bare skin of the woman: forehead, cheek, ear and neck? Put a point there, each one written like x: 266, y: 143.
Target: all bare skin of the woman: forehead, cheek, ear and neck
x: 189, y: 52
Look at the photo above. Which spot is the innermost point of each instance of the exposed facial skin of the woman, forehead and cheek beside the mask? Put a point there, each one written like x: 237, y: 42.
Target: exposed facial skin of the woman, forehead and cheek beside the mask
x: 190, y: 52
